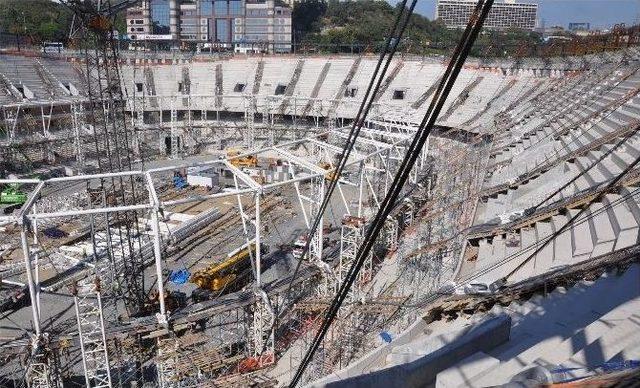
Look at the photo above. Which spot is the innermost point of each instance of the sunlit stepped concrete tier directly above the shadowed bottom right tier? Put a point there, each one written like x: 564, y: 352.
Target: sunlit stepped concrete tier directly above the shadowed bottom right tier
x: 607, y: 226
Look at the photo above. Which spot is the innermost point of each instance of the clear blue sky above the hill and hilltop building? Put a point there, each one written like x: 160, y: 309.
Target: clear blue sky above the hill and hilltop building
x: 600, y: 13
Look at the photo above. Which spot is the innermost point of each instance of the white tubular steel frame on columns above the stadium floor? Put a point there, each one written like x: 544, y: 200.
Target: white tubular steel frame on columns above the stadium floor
x: 306, y: 175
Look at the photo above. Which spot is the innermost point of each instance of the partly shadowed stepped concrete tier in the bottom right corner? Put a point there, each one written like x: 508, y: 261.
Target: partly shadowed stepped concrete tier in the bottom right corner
x: 582, y: 327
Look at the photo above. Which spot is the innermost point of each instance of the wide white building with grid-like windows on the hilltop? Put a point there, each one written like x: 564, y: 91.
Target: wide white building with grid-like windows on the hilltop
x: 503, y: 15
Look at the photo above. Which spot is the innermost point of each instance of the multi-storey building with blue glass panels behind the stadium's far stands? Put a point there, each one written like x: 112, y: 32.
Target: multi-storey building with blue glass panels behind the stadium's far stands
x: 243, y: 25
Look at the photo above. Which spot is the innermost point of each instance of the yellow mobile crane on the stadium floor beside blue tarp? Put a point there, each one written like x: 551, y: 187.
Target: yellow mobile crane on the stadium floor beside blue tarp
x: 230, y: 275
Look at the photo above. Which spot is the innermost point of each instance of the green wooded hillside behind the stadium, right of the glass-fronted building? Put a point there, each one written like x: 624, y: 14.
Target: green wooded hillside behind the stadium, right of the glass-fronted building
x: 367, y: 23
